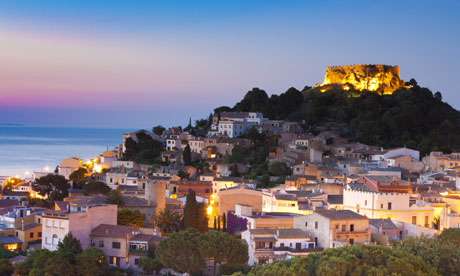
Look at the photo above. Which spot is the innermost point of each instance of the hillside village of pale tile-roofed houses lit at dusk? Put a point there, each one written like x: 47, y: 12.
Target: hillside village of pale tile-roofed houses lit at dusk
x: 317, y: 191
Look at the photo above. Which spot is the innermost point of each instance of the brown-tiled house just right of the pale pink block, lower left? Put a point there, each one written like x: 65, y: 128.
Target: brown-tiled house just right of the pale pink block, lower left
x: 123, y: 245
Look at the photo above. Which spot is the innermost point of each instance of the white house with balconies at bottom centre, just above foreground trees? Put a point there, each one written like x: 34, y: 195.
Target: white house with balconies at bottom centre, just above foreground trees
x: 268, y: 245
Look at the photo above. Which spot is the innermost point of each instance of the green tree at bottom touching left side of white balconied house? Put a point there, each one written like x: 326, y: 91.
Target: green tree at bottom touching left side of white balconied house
x: 223, y: 248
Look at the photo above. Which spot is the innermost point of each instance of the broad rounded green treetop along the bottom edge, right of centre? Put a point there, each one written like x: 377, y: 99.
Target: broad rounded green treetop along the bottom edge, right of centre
x: 350, y: 260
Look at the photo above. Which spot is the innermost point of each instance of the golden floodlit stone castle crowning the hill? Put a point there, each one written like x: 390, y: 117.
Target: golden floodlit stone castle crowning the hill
x: 373, y: 77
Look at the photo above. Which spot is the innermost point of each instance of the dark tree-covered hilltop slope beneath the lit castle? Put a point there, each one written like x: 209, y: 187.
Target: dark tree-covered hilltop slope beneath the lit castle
x: 411, y: 116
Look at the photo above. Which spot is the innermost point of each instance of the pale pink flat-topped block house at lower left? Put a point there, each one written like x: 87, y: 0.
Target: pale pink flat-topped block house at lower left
x: 79, y: 219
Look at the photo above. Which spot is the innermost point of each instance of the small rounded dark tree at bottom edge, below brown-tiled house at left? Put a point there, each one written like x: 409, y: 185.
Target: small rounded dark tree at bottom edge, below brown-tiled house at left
x: 92, y: 262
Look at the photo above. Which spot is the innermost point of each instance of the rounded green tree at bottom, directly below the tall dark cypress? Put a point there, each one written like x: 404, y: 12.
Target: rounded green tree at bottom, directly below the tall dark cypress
x: 181, y: 251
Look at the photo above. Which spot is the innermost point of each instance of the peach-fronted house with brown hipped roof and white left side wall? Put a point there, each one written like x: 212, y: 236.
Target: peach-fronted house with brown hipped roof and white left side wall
x: 335, y: 228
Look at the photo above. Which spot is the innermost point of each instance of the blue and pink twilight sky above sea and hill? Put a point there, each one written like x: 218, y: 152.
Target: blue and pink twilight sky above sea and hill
x: 136, y: 64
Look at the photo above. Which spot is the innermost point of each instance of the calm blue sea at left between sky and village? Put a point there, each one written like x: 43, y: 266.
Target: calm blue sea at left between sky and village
x: 28, y: 149
